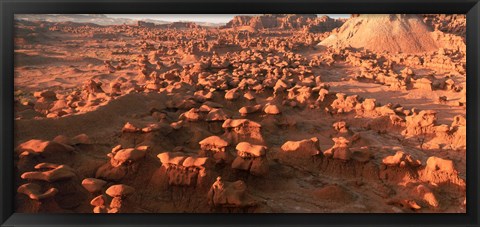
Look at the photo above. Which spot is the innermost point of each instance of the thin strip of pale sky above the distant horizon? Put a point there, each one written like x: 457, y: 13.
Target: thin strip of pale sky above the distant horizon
x: 210, y: 18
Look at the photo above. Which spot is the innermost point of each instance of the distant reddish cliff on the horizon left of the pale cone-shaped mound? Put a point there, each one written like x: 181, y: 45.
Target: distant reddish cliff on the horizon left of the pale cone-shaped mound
x: 286, y: 21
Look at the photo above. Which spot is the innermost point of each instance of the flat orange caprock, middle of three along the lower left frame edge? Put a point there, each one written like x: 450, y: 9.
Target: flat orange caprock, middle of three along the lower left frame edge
x: 56, y: 173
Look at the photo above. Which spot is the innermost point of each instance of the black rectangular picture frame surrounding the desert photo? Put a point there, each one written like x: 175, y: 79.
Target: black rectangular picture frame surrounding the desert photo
x: 10, y: 7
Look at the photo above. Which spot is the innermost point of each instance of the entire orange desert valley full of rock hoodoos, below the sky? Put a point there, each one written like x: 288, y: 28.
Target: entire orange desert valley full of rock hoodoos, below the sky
x: 267, y: 113
